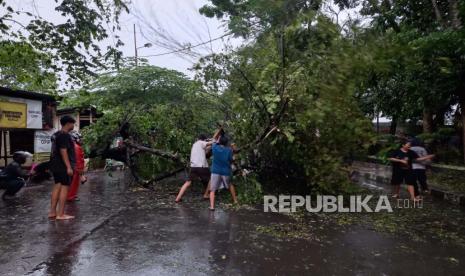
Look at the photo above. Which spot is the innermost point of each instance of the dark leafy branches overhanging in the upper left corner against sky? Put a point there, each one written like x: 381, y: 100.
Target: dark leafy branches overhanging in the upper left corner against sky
x: 72, y: 41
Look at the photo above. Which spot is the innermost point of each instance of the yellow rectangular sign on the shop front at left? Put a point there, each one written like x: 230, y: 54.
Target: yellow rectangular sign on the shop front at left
x: 13, y: 115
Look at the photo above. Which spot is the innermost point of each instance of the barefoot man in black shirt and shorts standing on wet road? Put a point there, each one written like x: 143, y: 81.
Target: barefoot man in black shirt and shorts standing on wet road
x: 62, y: 162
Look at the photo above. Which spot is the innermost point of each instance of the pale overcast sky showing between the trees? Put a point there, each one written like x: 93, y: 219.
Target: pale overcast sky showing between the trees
x: 178, y: 20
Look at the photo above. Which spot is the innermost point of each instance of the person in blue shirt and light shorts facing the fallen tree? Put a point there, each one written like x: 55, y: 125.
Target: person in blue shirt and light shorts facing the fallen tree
x: 221, y: 170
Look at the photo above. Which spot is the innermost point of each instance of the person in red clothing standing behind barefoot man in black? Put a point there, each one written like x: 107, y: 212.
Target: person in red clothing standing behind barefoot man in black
x: 78, y: 174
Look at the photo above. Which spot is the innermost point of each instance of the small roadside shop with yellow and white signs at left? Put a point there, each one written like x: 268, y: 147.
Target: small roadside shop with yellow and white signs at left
x: 26, y: 123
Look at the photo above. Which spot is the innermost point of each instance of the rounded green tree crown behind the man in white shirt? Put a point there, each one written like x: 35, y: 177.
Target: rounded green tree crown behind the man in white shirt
x: 167, y: 110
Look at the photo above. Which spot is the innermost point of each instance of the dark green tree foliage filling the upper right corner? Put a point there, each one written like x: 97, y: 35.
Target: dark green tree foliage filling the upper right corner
x: 432, y: 32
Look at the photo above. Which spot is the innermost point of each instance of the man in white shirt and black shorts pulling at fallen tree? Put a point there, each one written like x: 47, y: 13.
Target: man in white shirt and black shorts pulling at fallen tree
x: 199, y: 165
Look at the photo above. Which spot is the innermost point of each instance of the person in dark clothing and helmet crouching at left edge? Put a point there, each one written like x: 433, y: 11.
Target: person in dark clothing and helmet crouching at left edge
x: 13, y: 175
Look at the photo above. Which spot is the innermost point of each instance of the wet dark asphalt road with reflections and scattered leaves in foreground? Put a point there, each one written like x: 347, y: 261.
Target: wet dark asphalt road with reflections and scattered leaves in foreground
x: 127, y: 231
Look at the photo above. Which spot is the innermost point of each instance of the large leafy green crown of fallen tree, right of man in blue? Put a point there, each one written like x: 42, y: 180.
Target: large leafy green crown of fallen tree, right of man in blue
x: 291, y: 90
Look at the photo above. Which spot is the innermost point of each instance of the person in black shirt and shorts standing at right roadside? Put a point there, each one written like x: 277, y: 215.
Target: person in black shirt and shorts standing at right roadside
x: 402, y: 172
